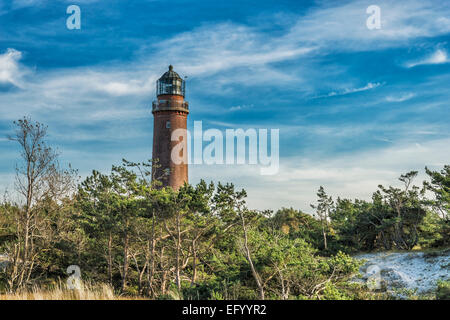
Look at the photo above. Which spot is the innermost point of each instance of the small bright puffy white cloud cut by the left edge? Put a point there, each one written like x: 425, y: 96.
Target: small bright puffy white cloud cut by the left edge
x: 10, y: 70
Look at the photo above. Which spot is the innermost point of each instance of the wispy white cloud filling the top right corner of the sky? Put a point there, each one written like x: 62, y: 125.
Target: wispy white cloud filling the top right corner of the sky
x: 343, y: 26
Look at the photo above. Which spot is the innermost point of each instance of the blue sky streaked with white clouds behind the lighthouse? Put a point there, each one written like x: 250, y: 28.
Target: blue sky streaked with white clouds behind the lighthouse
x: 356, y: 107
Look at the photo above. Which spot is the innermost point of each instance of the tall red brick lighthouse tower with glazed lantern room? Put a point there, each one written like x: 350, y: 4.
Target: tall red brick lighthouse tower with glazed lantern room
x: 170, y: 113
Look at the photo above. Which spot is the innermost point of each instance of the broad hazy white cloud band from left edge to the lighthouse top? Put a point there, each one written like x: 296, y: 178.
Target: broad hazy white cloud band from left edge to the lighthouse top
x: 82, y: 95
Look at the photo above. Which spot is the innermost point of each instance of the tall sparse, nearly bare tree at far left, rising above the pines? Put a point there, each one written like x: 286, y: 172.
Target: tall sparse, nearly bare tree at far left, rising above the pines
x: 40, y: 181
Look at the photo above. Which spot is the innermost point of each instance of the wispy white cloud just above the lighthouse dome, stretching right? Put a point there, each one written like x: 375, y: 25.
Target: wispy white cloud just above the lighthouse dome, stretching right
x: 215, y: 49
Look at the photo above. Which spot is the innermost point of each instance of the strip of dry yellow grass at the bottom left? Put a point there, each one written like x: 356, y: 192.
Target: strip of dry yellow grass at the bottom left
x: 61, y: 292
